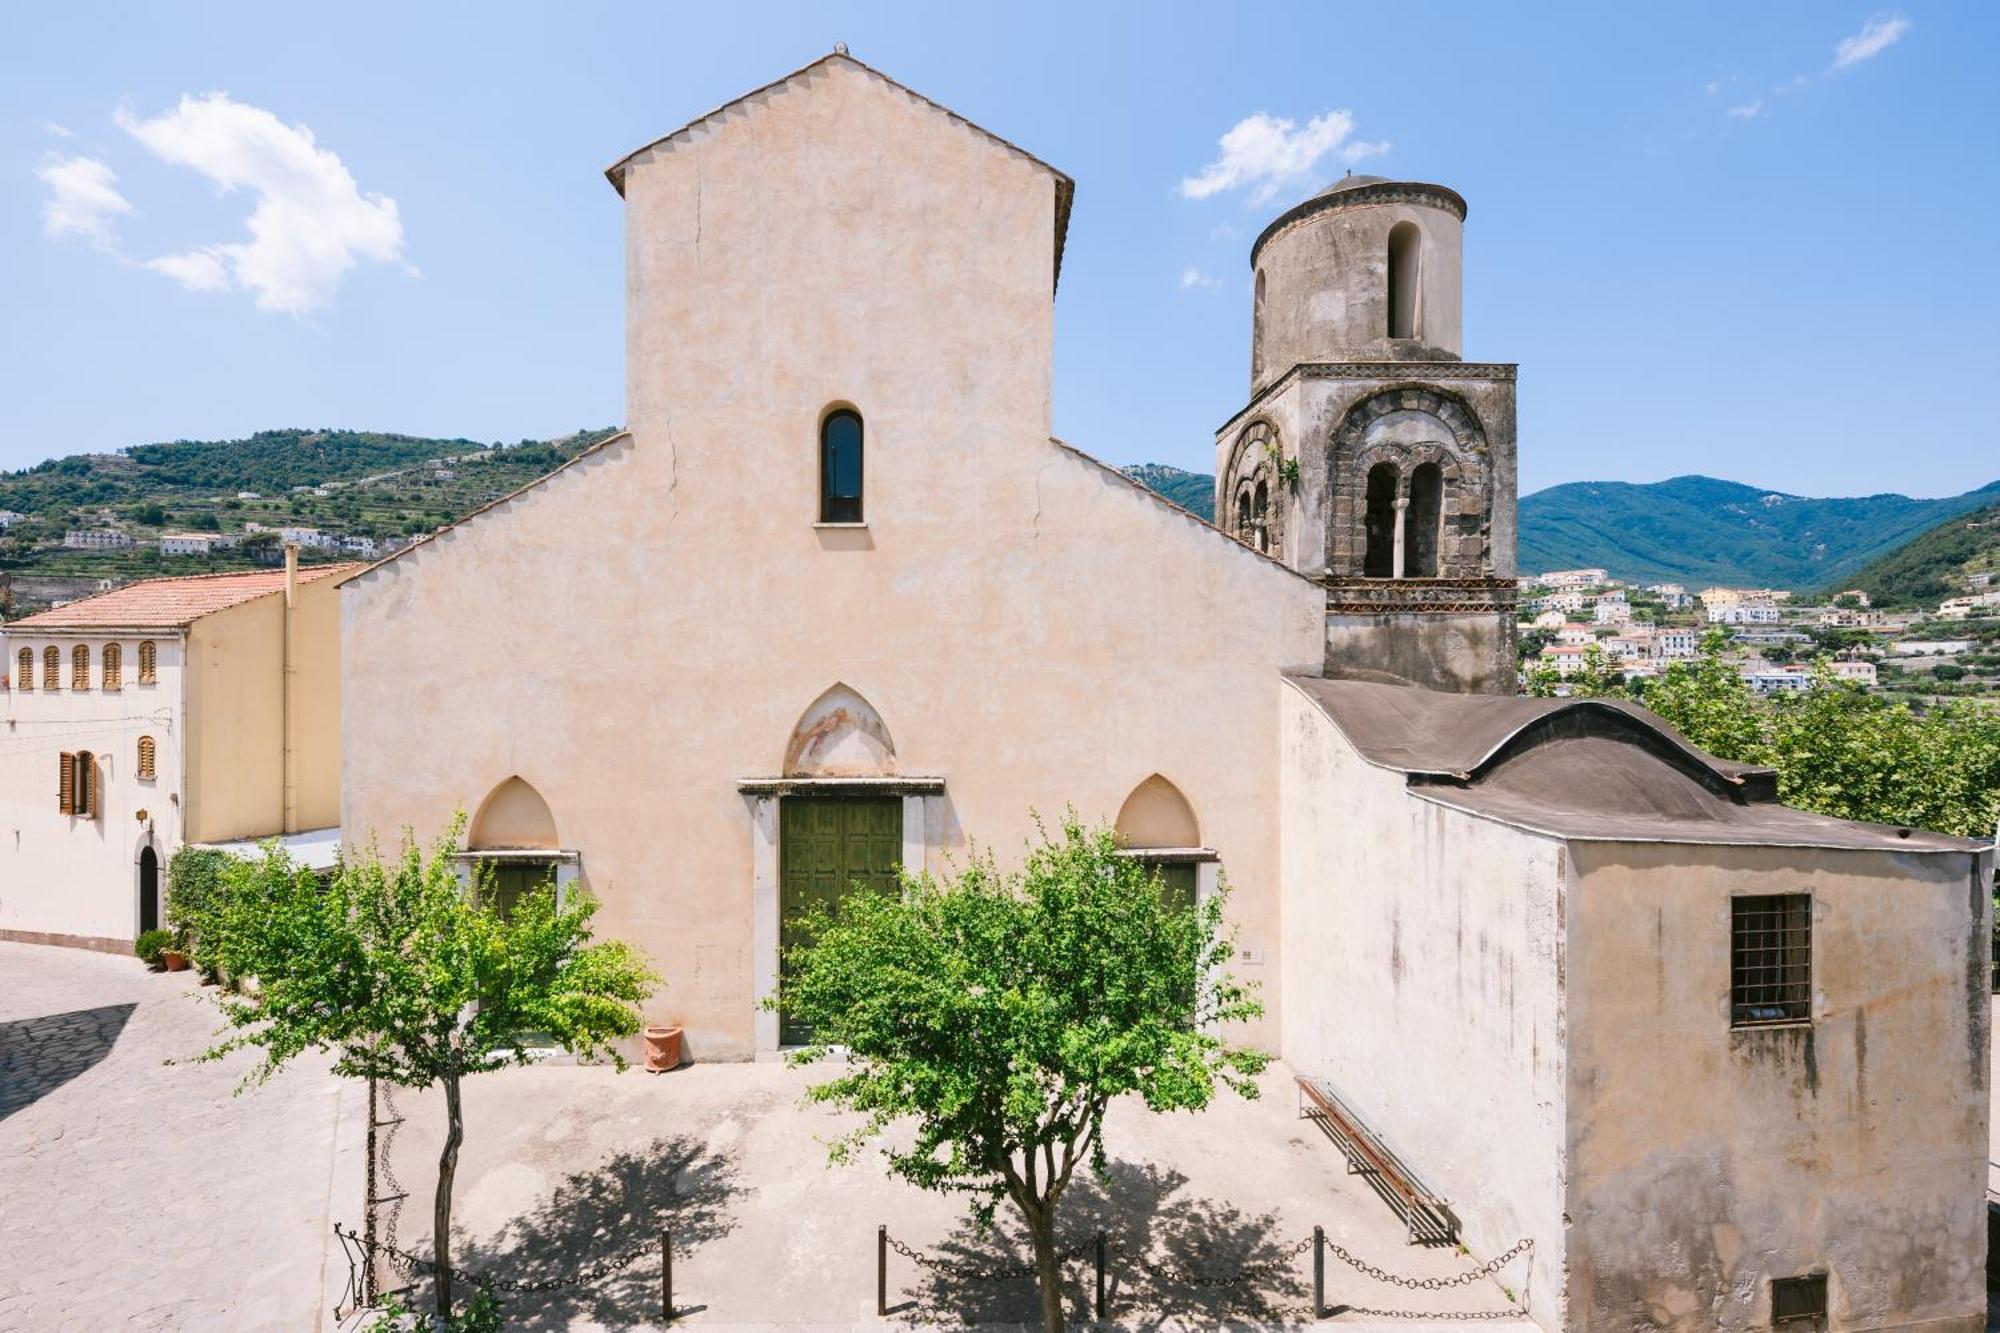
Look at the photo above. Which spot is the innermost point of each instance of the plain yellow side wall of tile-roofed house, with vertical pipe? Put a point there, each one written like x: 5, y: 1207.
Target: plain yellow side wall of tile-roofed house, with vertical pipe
x: 237, y: 694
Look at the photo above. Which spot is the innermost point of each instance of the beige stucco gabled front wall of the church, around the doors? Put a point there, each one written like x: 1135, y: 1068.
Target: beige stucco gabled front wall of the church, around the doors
x: 643, y: 631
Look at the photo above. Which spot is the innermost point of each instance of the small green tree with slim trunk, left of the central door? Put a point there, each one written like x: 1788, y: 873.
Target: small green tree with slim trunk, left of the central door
x: 405, y: 974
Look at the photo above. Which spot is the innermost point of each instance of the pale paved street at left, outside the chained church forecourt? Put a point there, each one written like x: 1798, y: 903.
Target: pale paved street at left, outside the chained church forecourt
x: 147, y: 1196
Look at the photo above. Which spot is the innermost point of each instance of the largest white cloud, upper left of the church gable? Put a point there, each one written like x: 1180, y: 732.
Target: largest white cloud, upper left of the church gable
x: 311, y: 223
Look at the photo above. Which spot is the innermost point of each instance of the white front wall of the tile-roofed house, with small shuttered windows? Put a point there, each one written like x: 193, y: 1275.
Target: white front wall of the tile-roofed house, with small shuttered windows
x: 79, y: 878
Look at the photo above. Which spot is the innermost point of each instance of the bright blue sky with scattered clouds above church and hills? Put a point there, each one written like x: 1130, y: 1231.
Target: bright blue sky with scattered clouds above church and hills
x: 1743, y: 241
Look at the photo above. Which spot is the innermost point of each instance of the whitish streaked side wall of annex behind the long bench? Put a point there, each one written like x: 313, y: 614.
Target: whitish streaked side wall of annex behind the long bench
x: 1425, y: 980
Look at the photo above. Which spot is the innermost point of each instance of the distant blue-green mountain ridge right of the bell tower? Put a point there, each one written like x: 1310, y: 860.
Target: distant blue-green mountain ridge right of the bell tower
x: 1697, y: 529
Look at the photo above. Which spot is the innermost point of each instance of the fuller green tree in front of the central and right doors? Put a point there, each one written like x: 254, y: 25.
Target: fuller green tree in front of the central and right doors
x: 1003, y: 1014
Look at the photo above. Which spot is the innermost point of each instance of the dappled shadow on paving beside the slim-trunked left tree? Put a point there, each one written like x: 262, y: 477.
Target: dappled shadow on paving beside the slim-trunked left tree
x: 603, y: 1216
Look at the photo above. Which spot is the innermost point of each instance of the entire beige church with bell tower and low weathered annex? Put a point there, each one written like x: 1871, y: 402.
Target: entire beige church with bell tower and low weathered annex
x: 839, y: 603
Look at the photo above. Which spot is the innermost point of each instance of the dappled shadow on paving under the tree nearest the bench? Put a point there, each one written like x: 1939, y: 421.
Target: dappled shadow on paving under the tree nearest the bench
x: 1169, y: 1258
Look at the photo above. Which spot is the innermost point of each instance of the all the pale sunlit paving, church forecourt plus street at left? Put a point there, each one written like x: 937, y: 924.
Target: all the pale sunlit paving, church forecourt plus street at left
x: 147, y: 1196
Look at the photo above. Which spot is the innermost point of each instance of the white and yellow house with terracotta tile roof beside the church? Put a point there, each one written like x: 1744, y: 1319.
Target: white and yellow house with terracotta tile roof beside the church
x: 169, y: 712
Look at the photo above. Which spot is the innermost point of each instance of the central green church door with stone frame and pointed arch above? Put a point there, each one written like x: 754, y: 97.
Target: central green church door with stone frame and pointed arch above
x: 841, y: 800
